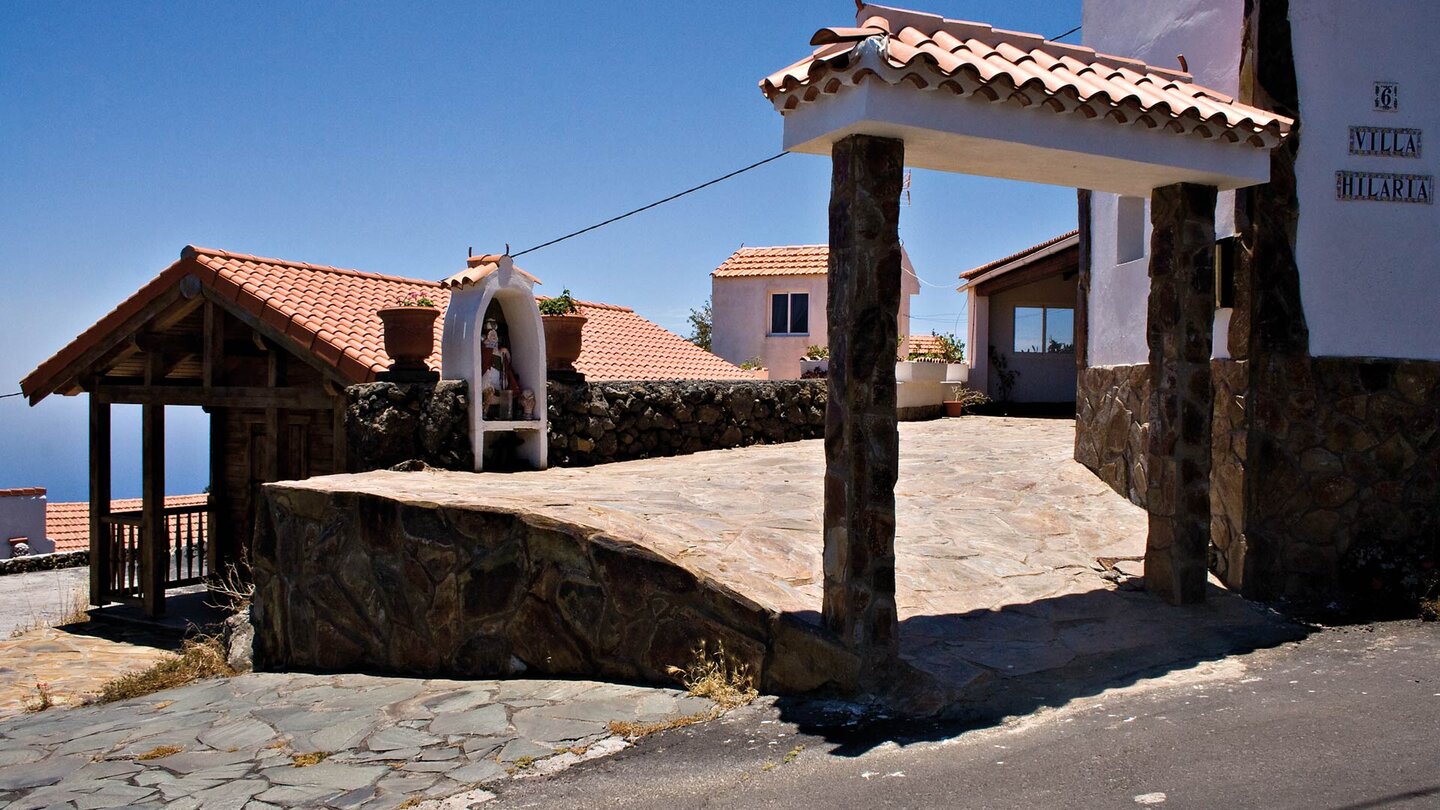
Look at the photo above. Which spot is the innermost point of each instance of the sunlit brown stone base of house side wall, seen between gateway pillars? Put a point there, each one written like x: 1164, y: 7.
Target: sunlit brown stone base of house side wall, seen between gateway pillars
x: 1111, y: 426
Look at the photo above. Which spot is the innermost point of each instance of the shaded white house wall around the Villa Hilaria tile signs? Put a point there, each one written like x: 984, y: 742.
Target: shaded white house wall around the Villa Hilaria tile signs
x: 1369, y: 273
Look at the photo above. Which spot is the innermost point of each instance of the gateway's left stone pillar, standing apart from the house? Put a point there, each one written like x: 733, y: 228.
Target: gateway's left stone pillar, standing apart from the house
x: 862, y: 442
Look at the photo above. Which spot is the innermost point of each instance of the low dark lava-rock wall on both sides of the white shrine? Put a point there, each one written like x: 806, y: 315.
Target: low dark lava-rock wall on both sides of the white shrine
x: 597, y: 423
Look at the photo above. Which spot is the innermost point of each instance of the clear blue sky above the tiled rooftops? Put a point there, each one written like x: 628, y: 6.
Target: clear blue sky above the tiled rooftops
x: 392, y: 138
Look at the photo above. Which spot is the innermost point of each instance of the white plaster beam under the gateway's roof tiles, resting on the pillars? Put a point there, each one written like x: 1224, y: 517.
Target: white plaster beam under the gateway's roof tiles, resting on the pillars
x: 1003, y: 141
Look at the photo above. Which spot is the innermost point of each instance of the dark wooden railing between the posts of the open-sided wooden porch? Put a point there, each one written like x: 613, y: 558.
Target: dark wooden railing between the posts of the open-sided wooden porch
x: 189, y: 533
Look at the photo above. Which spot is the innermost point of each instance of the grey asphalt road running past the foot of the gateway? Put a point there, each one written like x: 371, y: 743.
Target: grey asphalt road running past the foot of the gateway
x: 1349, y: 718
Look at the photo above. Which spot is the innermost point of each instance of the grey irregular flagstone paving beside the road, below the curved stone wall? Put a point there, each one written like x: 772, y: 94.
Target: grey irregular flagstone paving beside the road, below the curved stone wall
x: 375, y: 742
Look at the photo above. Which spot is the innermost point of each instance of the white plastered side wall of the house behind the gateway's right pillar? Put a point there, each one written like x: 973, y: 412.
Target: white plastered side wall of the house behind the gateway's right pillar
x: 1209, y: 34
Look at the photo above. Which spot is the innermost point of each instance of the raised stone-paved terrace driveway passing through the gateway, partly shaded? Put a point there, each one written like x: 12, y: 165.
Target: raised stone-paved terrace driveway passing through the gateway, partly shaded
x: 997, y: 543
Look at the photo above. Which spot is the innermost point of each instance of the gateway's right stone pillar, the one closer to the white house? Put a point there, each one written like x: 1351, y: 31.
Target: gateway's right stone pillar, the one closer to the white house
x: 1182, y: 318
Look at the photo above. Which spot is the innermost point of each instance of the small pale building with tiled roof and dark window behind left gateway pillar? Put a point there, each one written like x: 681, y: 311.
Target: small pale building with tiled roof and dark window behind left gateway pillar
x: 770, y: 305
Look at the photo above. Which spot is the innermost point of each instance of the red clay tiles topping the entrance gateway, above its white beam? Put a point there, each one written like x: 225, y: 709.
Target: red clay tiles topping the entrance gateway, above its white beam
x: 974, y: 60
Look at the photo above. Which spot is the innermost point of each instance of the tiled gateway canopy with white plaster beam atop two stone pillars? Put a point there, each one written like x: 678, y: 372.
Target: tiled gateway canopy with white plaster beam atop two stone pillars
x: 974, y: 100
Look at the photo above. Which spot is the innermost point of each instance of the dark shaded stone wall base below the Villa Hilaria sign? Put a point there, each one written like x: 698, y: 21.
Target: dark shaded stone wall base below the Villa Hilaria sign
x: 1344, y: 478
